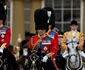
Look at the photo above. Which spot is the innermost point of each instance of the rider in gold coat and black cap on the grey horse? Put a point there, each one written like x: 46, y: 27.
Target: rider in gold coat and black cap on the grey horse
x: 75, y: 35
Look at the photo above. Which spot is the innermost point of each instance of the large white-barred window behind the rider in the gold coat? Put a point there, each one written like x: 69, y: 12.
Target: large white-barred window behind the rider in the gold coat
x: 65, y: 12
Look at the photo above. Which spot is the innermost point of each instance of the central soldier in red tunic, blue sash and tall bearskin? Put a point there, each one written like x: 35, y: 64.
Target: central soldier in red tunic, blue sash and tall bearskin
x: 42, y: 41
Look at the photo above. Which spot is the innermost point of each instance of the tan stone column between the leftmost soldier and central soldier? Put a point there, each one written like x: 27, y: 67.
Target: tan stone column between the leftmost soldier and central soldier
x: 18, y: 20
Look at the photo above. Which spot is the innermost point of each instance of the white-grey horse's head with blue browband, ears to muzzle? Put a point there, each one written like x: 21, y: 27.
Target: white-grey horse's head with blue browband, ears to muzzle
x: 72, y: 49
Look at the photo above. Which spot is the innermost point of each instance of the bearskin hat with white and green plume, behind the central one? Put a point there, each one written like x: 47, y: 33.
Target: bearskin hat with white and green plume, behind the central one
x: 51, y: 16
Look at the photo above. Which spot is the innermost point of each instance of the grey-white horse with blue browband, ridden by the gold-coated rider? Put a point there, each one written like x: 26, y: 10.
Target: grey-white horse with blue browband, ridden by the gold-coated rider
x: 74, y: 59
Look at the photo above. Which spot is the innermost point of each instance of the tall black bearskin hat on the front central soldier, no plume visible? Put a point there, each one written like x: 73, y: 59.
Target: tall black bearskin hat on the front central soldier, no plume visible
x: 40, y: 18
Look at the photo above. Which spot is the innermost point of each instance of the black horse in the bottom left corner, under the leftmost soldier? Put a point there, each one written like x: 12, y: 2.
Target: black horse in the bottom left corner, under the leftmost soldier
x: 7, y: 63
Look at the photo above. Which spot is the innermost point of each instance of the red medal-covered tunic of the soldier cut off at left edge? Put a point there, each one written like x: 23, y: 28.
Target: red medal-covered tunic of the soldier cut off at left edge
x: 5, y: 35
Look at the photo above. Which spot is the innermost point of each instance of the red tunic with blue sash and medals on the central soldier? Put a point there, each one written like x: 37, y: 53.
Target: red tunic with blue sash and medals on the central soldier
x: 47, y: 45
